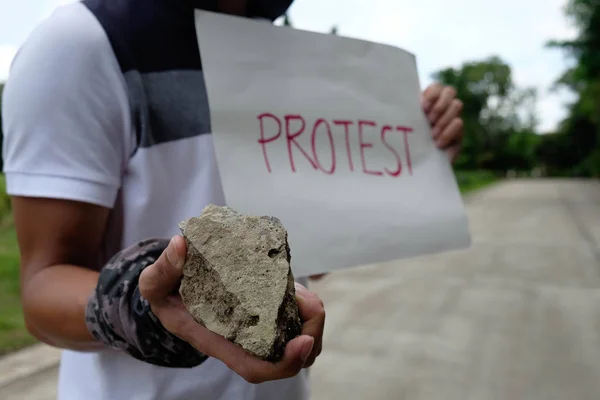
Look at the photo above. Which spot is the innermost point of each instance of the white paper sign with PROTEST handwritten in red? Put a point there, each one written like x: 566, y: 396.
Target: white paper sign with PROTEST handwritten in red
x: 327, y: 134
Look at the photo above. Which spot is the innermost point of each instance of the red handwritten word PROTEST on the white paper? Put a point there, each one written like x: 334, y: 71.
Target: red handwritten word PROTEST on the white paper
x: 291, y: 127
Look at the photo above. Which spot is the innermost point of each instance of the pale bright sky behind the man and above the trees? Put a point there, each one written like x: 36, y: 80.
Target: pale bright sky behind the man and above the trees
x: 440, y: 33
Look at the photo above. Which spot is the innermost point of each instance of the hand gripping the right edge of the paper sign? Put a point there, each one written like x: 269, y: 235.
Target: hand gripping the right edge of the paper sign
x: 443, y: 110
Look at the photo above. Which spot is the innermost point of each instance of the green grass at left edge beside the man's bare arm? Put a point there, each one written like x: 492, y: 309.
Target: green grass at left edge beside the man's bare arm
x: 13, y: 334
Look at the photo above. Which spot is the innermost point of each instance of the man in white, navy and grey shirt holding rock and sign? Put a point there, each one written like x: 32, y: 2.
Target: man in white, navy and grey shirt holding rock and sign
x: 107, y: 144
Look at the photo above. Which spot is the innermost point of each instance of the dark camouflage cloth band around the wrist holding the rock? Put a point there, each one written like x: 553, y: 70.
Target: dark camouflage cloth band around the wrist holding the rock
x: 120, y: 317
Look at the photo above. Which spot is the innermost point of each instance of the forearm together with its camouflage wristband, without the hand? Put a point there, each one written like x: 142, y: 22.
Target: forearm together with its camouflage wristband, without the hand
x: 79, y: 309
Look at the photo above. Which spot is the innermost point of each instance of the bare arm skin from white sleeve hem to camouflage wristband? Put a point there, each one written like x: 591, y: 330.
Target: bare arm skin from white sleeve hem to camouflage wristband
x: 60, y: 242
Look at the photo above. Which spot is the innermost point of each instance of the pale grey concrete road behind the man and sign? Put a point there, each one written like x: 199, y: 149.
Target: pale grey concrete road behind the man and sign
x: 517, y: 316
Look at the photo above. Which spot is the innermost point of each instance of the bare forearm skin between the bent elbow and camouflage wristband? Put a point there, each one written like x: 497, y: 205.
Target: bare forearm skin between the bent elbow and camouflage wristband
x: 54, y: 302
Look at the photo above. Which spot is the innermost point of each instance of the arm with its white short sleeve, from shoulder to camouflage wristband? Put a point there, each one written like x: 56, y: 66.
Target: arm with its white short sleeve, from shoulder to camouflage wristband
x: 65, y: 138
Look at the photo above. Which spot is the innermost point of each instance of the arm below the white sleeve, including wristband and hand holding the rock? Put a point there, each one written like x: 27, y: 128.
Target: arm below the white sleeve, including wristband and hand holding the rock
x: 60, y: 241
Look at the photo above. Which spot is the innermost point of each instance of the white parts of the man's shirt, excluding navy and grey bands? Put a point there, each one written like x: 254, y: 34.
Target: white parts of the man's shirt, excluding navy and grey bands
x: 70, y: 133
